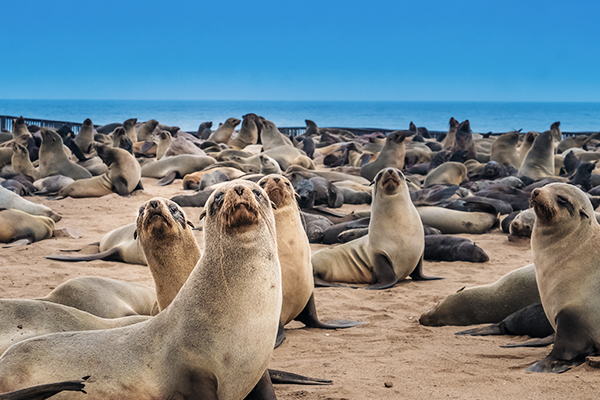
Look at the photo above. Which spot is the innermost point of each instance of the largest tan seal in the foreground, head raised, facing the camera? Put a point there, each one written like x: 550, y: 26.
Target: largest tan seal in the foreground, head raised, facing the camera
x: 214, y: 341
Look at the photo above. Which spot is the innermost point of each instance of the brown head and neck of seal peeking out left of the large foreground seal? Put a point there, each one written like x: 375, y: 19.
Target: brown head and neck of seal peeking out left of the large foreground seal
x: 169, y: 246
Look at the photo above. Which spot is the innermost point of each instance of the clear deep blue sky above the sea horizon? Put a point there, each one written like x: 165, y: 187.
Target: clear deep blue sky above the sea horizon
x: 301, y: 50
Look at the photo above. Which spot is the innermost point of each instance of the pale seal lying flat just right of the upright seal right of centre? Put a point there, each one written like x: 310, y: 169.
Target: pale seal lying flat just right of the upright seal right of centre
x: 451, y: 221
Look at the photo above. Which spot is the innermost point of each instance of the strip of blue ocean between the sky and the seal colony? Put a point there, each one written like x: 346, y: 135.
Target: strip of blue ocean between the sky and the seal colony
x: 188, y: 114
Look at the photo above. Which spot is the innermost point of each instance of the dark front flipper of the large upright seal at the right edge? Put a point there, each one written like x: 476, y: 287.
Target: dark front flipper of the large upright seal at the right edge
x: 571, y: 344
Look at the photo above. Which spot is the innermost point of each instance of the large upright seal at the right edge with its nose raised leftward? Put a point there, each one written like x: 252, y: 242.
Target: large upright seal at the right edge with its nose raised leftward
x: 564, y: 243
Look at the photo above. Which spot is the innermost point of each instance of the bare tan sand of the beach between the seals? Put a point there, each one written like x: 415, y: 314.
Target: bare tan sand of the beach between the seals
x: 391, y: 356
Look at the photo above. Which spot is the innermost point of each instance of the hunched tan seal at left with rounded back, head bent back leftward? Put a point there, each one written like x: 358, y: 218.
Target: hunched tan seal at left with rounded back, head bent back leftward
x: 123, y: 176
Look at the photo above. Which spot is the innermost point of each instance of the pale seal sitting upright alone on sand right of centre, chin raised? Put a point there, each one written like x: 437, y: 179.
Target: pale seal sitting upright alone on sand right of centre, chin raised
x: 379, y: 258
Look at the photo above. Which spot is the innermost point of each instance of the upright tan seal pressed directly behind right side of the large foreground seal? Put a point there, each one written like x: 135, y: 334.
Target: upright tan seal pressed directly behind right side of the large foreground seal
x: 293, y: 250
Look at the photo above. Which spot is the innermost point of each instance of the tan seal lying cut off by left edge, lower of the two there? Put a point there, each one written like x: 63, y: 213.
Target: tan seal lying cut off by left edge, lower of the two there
x: 18, y: 225
